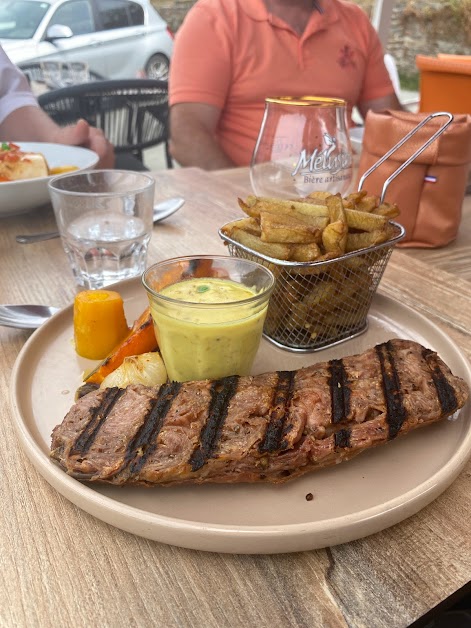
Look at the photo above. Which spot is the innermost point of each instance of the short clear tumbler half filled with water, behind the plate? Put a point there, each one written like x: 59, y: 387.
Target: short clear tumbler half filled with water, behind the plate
x: 105, y: 219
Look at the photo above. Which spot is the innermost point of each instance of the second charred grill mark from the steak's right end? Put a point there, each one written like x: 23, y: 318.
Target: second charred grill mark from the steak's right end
x: 396, y: 413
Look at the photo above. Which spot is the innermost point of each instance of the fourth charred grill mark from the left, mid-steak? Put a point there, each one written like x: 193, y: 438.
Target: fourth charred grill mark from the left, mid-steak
x: 282, y: 396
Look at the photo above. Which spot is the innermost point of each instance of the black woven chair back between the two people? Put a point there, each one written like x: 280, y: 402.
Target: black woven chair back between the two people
x: 133, y: 113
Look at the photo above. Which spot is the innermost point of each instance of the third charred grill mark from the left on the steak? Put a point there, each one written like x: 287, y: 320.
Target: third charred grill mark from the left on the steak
x: 222, y: 391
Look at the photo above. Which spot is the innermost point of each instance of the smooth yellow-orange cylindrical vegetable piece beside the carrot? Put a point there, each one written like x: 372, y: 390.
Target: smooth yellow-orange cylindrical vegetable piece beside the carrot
x: 99, y: 322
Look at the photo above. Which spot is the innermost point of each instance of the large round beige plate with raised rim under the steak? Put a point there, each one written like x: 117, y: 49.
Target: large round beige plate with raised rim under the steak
x: 375, y: 490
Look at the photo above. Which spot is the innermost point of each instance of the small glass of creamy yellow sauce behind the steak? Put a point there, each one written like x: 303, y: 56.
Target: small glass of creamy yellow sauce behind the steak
x: 208, y: 314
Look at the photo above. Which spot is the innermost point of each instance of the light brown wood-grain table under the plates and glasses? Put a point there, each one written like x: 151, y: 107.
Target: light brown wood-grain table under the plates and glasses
x: 61, y: 566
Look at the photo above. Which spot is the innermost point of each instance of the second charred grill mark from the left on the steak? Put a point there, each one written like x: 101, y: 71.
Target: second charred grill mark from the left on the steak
x: 144, y: 442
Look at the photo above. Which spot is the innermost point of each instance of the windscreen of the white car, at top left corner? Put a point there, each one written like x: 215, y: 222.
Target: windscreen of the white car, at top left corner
x: 19, y: 19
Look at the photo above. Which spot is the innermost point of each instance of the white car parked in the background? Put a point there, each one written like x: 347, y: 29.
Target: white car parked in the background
x: 117, y: 38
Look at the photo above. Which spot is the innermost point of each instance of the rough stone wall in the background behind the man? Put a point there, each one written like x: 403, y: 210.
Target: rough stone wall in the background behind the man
x: 417, y: 27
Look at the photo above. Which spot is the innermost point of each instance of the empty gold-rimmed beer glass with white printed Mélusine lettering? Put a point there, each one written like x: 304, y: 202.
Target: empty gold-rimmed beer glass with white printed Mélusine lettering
x: 303, y: 146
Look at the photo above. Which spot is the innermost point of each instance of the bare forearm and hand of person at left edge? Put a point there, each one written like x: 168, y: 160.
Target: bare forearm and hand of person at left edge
x: 32, y: 124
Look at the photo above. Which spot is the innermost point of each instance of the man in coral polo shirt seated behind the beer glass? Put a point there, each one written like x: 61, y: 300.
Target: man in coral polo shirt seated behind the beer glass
x: 230, y: 55
